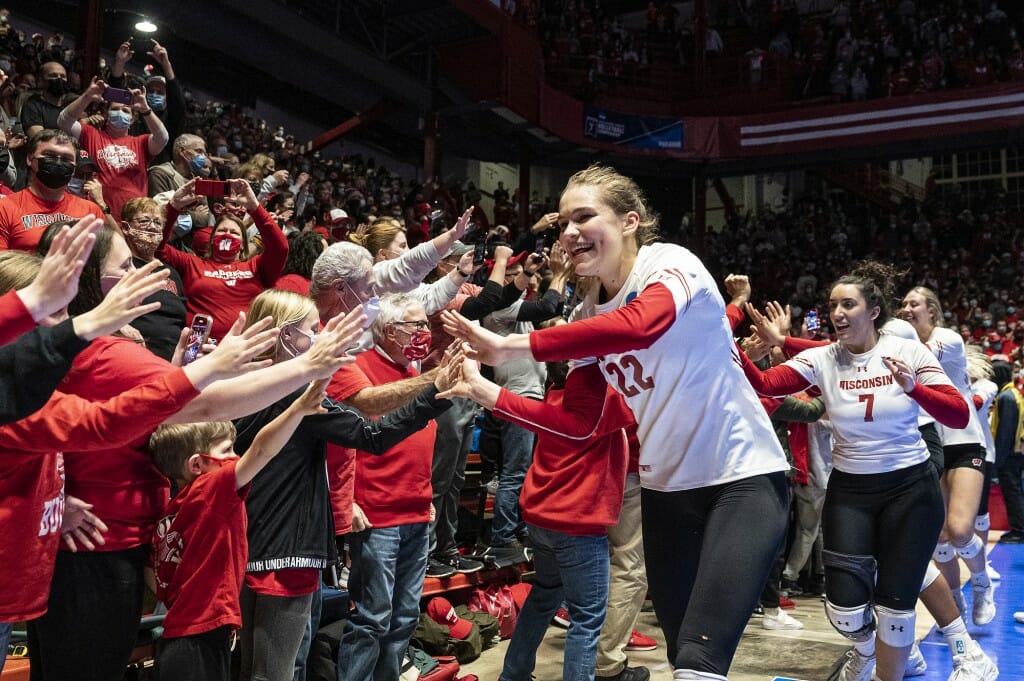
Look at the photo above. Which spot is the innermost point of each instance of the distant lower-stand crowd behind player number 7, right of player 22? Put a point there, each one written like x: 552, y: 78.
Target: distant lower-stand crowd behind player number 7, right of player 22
x: 971, y: 253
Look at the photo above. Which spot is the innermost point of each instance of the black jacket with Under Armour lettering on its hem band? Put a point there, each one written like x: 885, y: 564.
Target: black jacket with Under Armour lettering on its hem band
x: 289, y: 506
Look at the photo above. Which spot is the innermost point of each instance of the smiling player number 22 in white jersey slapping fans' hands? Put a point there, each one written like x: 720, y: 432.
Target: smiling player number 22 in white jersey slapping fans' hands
x: 715, y: 494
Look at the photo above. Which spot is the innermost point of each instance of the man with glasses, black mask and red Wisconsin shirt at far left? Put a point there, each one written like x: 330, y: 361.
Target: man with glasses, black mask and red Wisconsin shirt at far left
x: 24, y: 216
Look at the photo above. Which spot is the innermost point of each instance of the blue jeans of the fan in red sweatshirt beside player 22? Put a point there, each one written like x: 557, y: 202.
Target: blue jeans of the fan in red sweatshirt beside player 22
x: 571, y: 569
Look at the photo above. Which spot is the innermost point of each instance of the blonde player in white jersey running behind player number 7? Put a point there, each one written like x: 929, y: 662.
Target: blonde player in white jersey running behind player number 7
x: 964, y: 469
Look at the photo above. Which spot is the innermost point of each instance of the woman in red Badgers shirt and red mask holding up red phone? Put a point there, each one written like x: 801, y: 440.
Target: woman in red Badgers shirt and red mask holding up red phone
x: 225, y: 280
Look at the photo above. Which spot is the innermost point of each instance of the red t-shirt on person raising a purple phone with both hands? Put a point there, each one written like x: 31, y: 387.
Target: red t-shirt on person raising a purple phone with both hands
x: 122, y: 163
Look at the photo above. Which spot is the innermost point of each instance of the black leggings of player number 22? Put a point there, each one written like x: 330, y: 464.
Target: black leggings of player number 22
x: 708, y: 552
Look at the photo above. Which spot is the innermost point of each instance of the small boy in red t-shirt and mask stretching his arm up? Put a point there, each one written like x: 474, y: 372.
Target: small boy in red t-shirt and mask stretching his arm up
x: 200, y: 547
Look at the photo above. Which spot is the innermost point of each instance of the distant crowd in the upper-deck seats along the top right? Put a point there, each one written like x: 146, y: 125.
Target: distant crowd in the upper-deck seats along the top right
x: 858, y: 51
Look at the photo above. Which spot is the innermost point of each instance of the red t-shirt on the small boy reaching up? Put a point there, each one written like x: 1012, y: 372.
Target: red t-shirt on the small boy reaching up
x: 199, y: 556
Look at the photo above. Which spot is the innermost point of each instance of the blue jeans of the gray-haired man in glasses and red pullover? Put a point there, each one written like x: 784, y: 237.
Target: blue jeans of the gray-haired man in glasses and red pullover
x: 386, y: 584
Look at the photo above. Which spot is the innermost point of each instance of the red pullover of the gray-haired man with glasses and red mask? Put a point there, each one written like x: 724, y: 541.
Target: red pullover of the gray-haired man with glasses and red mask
x: 394, y: 489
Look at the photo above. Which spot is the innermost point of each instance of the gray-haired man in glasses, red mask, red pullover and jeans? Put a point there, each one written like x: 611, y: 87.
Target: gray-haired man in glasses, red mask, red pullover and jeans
x: 390, y: 559
